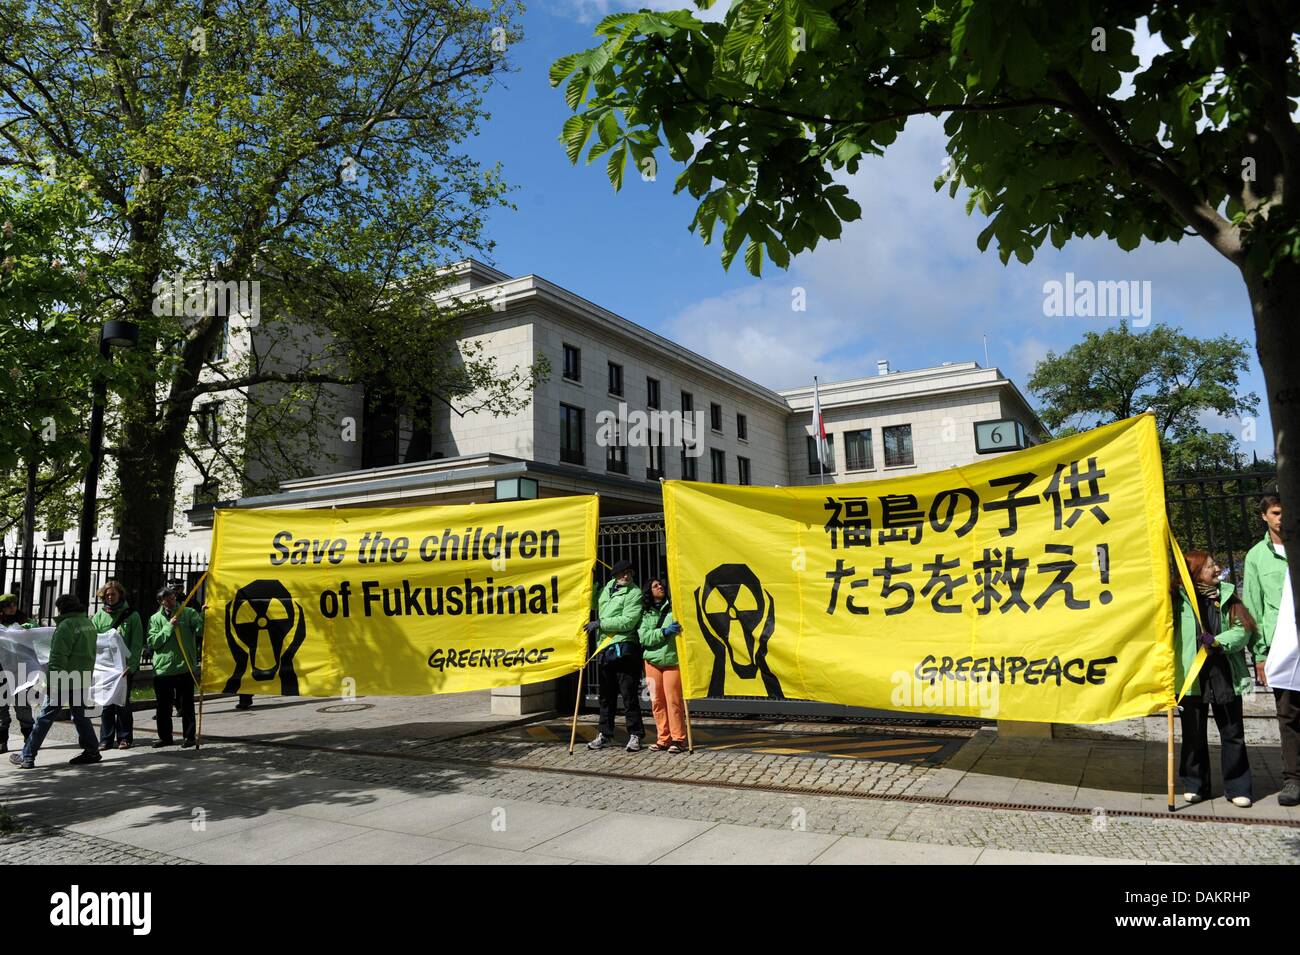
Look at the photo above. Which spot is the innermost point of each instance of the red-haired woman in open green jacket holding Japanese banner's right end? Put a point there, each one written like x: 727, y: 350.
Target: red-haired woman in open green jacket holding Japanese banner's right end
x: 1223, y: 680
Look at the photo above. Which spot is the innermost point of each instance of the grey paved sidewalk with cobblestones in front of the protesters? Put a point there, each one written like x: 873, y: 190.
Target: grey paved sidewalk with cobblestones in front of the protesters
x: 439, y: 780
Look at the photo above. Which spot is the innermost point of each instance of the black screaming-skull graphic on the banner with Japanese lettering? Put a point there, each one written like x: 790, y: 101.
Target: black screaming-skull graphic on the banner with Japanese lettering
x: 738, y: 618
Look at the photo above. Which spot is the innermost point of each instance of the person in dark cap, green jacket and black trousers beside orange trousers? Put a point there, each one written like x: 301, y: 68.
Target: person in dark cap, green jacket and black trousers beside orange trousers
x: 618, y: 622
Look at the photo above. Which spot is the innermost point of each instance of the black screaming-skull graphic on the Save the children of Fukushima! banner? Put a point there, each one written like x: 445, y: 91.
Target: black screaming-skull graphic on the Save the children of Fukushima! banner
x: 265, y: 628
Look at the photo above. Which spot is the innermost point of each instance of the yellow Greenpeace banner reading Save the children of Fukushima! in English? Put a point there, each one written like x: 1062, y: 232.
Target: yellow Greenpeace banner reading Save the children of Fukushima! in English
x: 398, y: 601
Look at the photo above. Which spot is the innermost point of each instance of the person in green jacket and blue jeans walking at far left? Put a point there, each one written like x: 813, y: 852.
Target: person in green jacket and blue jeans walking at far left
x: 72, y: 666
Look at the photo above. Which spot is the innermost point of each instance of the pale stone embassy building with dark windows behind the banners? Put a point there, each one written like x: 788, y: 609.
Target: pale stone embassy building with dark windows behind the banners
x: 625, y: 407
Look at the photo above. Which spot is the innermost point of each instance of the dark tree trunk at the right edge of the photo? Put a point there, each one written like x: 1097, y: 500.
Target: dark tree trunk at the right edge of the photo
x: 1277, y: 341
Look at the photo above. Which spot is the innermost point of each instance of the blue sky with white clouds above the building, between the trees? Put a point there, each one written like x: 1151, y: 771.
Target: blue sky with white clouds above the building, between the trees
x: 905, y: 284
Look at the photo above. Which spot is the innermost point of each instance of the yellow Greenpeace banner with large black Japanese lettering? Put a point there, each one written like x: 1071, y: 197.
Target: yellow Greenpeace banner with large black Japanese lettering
x: 1032, y: 587
